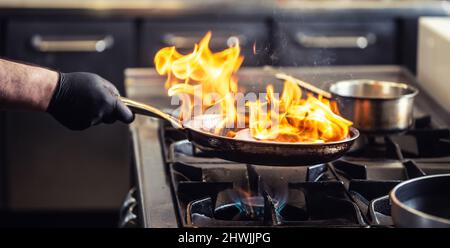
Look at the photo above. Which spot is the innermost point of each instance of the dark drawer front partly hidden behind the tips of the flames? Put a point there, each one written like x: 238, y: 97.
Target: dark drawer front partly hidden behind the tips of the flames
x: 184, y: 35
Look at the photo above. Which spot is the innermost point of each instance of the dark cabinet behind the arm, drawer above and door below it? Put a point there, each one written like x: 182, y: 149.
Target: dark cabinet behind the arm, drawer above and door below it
x: 50, y: 167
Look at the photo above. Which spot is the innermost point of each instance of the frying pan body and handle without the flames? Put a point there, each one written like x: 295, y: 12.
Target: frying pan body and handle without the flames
x: 253, y: 152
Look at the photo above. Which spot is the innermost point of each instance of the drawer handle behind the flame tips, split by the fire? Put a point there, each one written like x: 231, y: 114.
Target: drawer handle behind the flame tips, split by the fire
x: 187, y: 42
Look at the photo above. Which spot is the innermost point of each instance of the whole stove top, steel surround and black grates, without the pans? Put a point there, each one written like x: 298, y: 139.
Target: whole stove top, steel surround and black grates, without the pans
x: 178, y: 185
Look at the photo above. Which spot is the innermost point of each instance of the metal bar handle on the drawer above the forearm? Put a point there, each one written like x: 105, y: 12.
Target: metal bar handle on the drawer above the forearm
x: 61, y: 44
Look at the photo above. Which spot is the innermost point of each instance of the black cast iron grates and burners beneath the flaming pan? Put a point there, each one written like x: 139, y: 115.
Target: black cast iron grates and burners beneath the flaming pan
x: 349, y: 192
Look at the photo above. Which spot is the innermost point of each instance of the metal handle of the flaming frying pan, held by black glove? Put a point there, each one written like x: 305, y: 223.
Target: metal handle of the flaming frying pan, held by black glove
x: 144, y: 109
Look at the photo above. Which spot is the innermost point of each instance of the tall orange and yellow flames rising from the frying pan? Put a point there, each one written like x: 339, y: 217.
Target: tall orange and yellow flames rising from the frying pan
x: 203, y: 80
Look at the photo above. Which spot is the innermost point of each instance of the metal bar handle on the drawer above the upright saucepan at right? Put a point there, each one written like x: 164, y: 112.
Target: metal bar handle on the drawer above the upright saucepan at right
x: 361, y: 42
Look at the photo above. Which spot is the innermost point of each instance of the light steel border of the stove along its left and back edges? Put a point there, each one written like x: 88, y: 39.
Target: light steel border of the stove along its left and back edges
x: 143, y: 84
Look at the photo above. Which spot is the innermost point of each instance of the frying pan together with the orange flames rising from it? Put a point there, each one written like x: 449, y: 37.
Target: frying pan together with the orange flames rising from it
x: 266, y: 130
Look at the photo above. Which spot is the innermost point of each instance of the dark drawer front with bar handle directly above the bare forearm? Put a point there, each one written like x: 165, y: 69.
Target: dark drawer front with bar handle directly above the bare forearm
x: 105, y: 48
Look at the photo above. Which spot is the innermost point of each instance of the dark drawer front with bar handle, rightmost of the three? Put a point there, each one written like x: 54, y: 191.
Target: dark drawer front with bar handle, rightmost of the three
x: 335, y: 43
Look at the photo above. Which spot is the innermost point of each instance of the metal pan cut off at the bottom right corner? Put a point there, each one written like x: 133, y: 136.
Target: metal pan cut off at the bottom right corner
x: 422, y: 202
